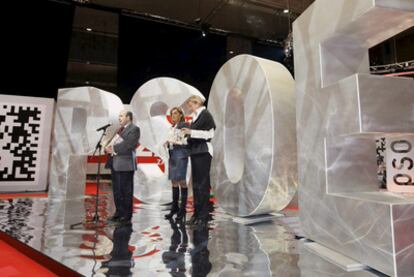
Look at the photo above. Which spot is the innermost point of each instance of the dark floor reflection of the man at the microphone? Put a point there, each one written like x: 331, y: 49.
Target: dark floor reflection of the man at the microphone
x: 121, y: 261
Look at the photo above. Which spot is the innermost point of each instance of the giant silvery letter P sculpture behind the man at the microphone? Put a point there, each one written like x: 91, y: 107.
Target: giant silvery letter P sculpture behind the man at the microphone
x: 79, y: 112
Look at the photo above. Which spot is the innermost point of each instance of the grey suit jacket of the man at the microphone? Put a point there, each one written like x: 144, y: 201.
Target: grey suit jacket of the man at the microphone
x: 125, y: 158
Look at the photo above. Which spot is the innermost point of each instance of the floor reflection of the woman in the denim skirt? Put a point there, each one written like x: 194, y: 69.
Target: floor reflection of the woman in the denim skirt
x: 174, y: 258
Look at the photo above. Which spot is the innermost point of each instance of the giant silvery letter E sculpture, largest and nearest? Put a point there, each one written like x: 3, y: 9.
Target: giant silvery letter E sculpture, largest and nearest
x: 341, y: 109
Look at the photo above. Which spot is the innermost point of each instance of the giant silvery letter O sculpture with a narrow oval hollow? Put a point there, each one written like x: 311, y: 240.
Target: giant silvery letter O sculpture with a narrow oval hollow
x: 254, y: 168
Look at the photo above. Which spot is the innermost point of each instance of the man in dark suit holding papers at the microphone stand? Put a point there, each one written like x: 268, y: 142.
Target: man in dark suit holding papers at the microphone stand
x: 122, y: 162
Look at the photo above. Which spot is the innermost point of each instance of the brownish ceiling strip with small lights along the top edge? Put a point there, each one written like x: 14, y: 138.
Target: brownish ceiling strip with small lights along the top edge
x: 260, y: 19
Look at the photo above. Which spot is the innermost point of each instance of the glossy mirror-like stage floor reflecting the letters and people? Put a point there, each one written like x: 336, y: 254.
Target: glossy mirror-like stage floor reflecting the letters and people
x: 153, y: 246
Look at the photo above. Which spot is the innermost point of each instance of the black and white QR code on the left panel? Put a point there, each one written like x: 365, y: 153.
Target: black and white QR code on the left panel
x: 19, y: 141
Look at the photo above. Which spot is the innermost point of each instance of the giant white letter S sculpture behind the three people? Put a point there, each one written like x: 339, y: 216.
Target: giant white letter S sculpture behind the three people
x: 150, y: 105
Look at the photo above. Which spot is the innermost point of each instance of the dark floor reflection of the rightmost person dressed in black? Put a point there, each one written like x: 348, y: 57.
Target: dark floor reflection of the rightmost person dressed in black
x: 200, y: 254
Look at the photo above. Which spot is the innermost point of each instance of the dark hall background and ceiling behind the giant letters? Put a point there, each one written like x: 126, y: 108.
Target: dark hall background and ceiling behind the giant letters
x: 117, y: 45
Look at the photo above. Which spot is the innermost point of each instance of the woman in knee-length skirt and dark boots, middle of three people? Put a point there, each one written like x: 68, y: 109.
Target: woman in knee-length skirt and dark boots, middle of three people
x: 177, y: 163
